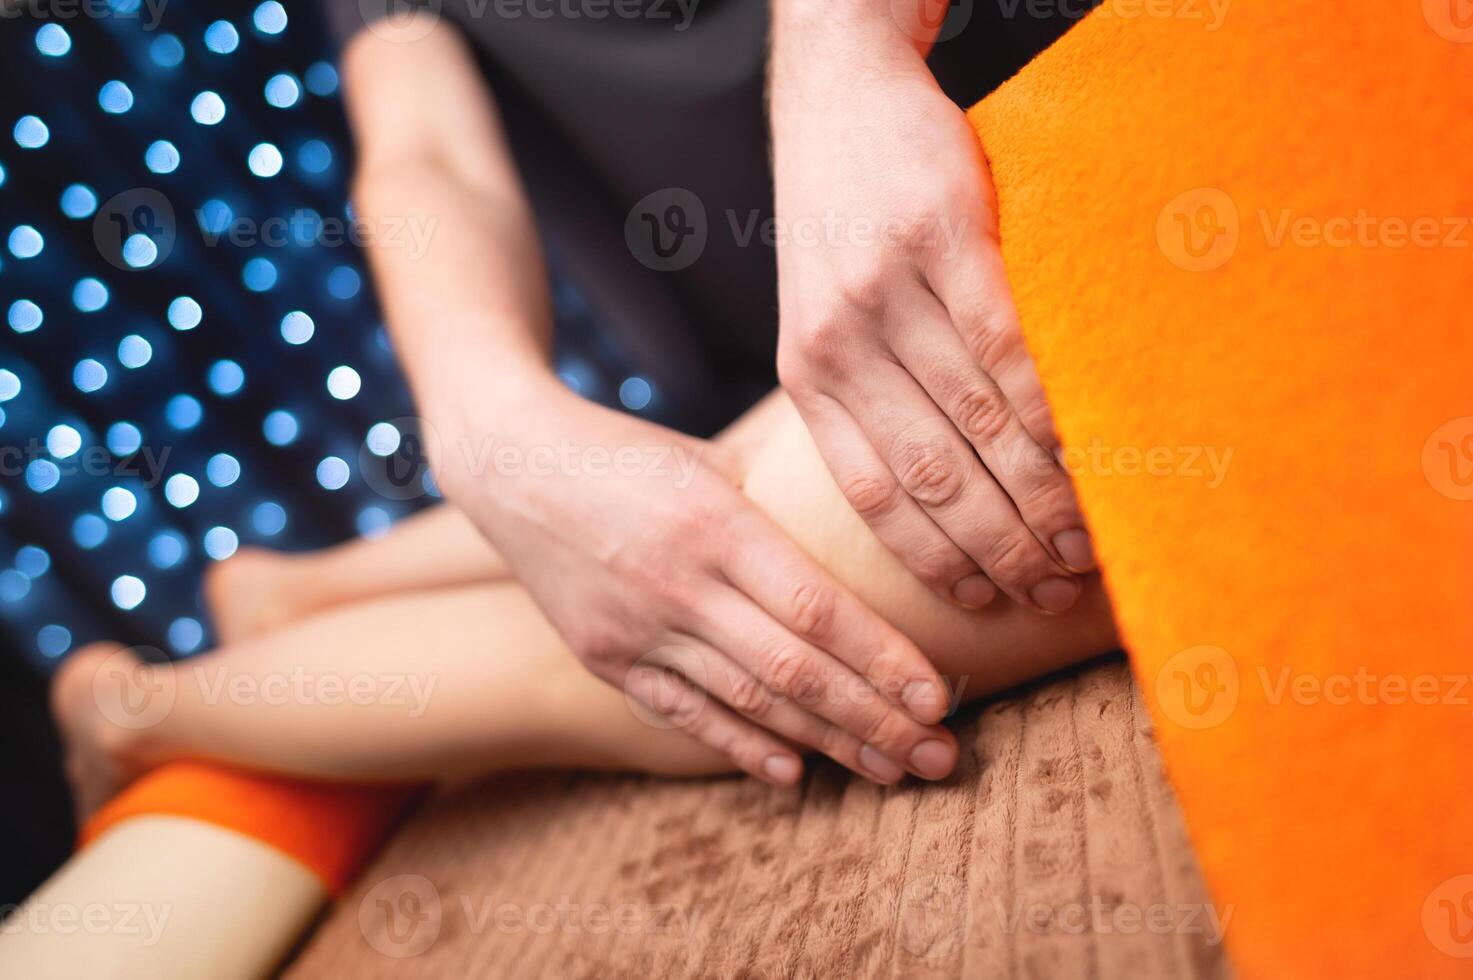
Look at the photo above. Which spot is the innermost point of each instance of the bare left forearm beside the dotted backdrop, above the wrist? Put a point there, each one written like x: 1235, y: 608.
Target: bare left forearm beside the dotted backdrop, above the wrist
x: 472, y: 297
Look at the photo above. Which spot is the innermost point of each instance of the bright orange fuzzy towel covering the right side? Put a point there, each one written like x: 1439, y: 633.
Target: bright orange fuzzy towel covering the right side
x: 1256, y: 242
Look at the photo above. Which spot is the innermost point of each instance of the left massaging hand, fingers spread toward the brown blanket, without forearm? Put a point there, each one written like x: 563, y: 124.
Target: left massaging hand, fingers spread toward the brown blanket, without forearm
x: 650, y: 562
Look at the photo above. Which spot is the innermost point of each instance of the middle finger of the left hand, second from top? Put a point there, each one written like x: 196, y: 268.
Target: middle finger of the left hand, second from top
x: 802, y: 674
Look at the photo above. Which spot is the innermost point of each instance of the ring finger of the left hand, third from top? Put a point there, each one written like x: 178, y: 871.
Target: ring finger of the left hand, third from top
x: 706, y: 668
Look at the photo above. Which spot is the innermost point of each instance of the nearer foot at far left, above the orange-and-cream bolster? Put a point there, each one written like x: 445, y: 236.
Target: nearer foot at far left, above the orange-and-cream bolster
x: 95, y: 687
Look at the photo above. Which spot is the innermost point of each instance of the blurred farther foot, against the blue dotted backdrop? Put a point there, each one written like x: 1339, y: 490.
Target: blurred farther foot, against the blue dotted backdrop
x: 253, y: 593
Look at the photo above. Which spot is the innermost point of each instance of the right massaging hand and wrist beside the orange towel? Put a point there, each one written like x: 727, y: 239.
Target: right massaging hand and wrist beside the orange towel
x: 899, y: 338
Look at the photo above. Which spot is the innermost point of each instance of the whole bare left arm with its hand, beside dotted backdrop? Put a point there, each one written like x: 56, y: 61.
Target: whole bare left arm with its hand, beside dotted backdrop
x: 622, y: 567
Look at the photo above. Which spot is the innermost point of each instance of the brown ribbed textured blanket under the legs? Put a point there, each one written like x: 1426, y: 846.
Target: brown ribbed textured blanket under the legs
x: 1057, y: 851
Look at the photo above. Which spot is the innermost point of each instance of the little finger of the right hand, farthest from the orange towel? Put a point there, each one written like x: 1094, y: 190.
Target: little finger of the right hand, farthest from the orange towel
x: 896, y: 519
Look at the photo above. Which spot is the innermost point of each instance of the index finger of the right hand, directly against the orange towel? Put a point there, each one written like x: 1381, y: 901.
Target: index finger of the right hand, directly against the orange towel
x: 971, y: 282
